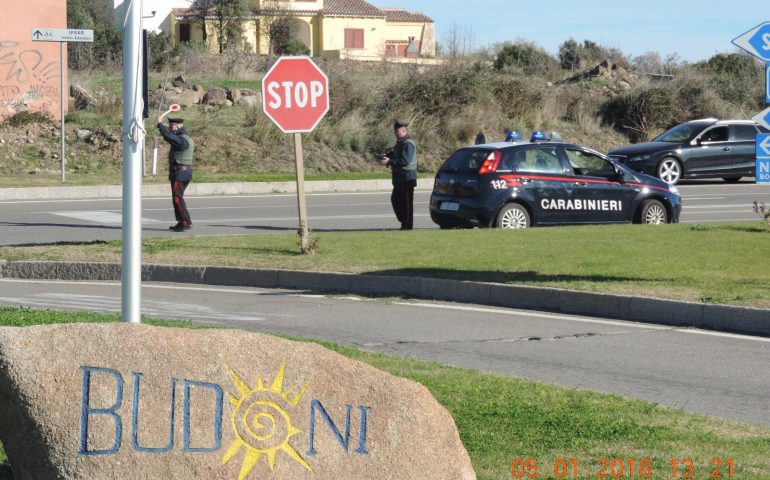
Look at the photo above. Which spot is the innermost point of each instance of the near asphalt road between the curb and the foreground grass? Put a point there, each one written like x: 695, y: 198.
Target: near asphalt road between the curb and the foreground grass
x: 707, y: 372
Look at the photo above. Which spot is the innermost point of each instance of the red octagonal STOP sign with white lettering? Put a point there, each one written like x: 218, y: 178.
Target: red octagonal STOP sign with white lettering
x: 295, y: 94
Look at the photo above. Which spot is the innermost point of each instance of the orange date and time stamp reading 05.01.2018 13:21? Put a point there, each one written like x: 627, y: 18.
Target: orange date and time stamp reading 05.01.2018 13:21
x: 685, y: 468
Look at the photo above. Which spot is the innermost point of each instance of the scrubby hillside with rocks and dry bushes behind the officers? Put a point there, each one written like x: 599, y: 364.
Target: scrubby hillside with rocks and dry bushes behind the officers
x: 604, y: 105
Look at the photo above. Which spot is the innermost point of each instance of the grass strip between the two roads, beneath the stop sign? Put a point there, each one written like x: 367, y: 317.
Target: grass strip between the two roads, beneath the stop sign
x: 716, y: 263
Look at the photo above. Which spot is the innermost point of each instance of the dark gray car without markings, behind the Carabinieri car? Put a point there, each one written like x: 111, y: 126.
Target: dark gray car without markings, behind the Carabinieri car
x: 707, y: 148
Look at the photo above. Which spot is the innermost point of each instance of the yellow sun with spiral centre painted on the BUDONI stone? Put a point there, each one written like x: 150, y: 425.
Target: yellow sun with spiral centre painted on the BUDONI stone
x: 261, y: 425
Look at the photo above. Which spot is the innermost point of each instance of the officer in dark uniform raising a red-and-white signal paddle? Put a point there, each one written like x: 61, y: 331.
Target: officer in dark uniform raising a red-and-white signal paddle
x: 180, y: 158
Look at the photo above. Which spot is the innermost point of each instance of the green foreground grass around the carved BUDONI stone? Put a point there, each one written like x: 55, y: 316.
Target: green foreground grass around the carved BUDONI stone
x: 501, y: 418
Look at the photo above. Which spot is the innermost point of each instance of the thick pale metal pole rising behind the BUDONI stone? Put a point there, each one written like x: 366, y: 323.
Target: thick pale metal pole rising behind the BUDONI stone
x: 132, y: 168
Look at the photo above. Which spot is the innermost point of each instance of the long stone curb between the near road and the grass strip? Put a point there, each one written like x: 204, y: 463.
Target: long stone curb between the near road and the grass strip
x: 725, y: 318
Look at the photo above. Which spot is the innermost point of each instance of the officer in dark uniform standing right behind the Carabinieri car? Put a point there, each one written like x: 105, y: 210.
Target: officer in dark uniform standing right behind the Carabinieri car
x: 402, y: 160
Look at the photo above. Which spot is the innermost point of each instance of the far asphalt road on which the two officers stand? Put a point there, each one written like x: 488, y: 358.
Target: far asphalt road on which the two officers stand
x: 23, y: 222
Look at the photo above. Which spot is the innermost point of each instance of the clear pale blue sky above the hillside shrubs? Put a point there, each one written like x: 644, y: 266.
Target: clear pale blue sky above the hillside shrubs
x: 694, y: 30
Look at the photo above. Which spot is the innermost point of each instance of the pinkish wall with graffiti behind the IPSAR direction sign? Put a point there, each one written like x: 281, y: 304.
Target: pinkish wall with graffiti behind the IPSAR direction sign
x: 30, y: 71
